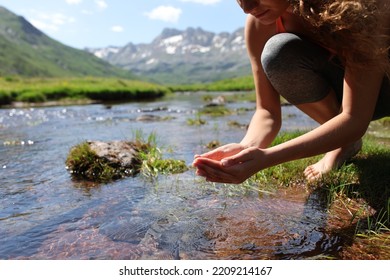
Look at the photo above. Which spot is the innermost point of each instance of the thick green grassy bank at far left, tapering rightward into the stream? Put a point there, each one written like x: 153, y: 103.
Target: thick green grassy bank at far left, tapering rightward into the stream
x: 34, y: 90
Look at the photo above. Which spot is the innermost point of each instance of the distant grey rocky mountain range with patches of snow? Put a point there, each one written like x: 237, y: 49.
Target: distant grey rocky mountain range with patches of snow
x: 178, y: 57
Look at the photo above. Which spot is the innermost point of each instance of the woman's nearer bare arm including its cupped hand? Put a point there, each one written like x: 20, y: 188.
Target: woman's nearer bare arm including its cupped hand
x: 361, y: 88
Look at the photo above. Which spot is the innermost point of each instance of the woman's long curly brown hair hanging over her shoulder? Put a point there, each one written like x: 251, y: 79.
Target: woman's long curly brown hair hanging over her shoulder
x: 351, y: 28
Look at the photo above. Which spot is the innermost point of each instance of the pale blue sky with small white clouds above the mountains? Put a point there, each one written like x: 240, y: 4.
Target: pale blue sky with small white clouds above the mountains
x: 102, y: 23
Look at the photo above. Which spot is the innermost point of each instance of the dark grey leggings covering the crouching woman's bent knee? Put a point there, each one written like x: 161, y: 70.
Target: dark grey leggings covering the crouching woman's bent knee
x: 303, y: 72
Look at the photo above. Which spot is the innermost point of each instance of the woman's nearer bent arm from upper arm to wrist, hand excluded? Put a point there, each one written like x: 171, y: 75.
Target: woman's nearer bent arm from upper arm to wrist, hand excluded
x: 361, y: 89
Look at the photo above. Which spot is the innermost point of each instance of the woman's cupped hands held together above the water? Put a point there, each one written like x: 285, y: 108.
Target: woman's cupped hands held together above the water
x: 216, y: 166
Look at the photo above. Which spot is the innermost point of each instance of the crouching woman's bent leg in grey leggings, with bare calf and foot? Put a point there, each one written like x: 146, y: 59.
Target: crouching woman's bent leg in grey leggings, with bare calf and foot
x: 287, y: 57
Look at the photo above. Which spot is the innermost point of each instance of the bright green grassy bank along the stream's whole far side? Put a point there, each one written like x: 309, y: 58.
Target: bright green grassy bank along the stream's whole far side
x: 74, y: 90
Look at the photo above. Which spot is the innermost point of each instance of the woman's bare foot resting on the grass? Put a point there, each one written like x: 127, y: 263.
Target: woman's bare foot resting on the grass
x: 332, y: 160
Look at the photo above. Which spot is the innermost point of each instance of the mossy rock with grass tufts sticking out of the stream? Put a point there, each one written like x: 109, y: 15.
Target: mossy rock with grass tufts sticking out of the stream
x: 106, y: 161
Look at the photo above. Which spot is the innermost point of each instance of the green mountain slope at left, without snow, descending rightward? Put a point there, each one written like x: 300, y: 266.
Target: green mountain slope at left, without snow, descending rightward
x: 26, y: 51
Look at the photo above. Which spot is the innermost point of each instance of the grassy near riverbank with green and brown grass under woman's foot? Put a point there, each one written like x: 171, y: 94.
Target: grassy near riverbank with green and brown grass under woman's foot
x: 356, y: 197
